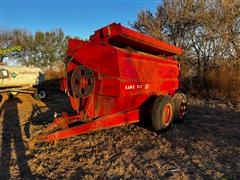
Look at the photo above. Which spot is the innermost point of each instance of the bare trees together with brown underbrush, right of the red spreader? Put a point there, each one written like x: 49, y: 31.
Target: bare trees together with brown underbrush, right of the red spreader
x: 209, y: 33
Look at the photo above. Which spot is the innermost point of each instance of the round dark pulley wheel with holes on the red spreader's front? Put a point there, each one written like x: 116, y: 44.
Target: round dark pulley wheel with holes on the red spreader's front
x: 82, y: 82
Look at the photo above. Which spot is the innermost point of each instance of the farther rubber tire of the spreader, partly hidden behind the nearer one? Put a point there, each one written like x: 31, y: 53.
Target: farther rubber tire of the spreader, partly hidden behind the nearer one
x: 178, y: 98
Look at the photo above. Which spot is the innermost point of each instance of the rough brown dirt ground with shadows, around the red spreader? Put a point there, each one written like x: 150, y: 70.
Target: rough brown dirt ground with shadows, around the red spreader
x: 206, y: 145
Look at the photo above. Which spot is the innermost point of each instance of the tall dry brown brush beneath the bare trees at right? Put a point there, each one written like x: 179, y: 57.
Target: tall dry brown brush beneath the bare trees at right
x: 221, y: 82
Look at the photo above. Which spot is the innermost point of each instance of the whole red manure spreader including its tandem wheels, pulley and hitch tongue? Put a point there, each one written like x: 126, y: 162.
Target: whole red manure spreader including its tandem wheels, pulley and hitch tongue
x: 116, y: 78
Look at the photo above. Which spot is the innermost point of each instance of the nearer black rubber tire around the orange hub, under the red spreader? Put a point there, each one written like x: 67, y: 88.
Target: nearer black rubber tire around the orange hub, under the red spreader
x: 157, y: 112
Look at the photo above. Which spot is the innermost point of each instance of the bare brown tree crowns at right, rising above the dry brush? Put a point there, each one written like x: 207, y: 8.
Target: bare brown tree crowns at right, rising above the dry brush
x: 207, y: 30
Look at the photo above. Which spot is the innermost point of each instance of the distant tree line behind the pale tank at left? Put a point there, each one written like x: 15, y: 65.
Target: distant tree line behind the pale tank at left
x: 42, y: 49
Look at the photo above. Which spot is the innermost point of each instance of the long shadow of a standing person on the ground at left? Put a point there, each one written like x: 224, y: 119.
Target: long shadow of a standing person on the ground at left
x: 12, y: 139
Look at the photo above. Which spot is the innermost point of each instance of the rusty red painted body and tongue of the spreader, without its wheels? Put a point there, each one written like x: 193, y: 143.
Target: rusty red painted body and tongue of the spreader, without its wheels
x: 123, y: 79
